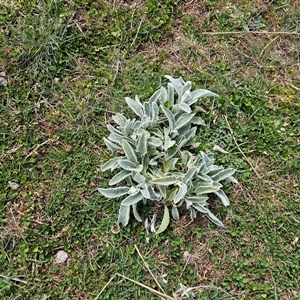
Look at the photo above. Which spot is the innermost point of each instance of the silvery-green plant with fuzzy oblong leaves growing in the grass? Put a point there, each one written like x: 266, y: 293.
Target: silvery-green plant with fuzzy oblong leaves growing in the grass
x: 155, y: 164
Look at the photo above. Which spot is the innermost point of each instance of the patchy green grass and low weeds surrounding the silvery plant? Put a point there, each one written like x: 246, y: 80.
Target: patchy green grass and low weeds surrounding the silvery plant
x: 69, y: 65
